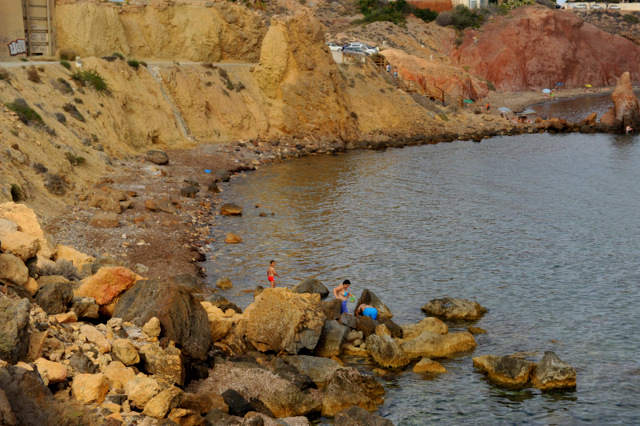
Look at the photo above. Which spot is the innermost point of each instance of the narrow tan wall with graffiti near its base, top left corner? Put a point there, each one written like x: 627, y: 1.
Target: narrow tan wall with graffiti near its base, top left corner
x: 11, y: 29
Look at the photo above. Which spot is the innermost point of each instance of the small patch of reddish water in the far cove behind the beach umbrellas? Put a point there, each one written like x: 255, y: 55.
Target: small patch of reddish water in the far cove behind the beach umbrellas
x: 576, y: 109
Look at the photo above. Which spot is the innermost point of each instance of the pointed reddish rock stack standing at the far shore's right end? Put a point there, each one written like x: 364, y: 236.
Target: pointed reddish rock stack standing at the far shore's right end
x: 626, y: 109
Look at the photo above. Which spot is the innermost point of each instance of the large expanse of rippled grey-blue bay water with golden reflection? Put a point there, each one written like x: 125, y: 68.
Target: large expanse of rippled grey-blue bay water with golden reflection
x: 541, y: 229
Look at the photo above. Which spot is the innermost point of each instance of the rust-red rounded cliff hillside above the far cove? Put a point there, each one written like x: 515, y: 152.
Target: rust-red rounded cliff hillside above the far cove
x: 535, y: 48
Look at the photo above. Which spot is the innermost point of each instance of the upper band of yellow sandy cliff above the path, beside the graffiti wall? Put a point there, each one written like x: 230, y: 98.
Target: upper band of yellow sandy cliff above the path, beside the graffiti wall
x: 161, y: 30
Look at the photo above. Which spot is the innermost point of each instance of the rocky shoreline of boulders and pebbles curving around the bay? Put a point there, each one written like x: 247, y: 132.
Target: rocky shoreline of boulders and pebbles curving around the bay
x: 118, y: 340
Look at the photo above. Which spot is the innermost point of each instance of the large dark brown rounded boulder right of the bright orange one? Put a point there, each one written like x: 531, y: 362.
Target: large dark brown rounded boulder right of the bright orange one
x: 182, y: 317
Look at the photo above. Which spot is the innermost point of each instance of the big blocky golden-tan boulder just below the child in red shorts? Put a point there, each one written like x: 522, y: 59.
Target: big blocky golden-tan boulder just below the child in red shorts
x: 283, y: 321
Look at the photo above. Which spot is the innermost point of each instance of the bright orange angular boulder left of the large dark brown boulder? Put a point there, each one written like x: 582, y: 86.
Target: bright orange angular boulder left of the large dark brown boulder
x: 106, y: 286
